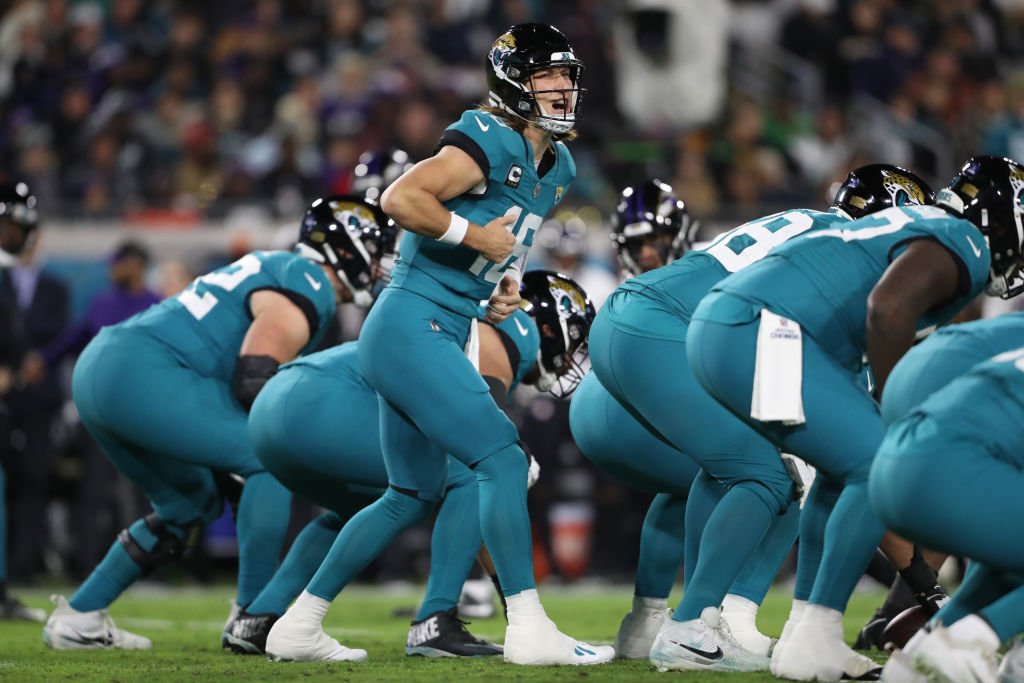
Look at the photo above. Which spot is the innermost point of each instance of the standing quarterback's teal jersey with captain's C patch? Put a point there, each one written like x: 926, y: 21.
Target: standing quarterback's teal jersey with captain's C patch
x: 457, y: 277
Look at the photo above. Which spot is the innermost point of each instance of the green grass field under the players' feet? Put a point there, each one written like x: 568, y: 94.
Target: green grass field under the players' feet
x: 186, y: 624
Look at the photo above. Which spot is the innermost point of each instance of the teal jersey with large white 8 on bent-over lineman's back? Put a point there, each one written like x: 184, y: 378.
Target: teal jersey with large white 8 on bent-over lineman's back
x: 679, y: 286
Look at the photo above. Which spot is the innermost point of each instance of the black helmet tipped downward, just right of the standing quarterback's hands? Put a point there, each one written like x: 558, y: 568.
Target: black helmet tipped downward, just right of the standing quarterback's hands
x: 564, y: 315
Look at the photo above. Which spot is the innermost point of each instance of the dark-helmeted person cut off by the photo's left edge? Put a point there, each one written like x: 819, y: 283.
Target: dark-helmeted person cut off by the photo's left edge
x: 19, y: 222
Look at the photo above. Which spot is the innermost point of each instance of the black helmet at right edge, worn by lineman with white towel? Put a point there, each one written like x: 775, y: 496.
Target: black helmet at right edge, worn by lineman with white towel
x: 988, y: 192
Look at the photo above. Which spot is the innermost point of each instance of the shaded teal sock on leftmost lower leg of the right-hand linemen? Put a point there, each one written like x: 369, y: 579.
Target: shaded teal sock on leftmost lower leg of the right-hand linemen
x: 662, y: 546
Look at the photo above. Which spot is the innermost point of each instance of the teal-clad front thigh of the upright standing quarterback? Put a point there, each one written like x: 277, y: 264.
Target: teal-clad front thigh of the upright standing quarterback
x: 411, y: 352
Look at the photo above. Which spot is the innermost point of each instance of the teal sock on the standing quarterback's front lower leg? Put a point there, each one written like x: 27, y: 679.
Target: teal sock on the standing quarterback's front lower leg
x: 504, y: 521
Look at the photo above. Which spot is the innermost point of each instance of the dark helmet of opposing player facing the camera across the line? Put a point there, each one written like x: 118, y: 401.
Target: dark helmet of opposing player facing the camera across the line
x: 647, y: 210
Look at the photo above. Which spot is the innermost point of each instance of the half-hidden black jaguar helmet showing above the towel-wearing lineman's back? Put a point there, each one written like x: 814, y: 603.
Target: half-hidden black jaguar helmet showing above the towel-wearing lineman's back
x: 876, y: 187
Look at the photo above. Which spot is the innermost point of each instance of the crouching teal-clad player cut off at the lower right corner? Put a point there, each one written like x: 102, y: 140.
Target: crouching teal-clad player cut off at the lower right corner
x: 950, y: 476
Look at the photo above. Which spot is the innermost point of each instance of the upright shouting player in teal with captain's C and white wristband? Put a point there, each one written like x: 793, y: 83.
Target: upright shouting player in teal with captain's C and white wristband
x: 470, y: 214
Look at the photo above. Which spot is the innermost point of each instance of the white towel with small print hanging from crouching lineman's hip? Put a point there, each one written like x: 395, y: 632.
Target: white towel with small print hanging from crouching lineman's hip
x: 779, y: 371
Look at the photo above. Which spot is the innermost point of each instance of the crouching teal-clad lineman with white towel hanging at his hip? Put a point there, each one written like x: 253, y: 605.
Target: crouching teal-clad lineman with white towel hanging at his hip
x: 782, y: 343
